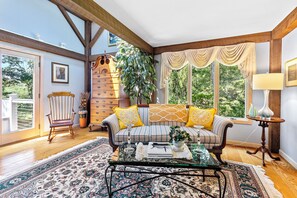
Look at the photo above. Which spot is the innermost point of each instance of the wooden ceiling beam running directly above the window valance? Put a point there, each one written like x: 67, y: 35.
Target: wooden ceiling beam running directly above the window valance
x: 257, y: 38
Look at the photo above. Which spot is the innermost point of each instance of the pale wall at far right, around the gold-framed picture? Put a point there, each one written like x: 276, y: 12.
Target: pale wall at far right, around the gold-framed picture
x: 288, y: 136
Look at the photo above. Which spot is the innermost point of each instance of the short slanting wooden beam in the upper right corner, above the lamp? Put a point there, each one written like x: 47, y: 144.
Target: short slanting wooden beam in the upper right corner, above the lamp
x: 285, y: 26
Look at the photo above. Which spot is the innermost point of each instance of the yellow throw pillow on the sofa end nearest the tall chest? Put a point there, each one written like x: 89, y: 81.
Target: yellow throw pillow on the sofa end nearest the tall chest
x: 128, y: 115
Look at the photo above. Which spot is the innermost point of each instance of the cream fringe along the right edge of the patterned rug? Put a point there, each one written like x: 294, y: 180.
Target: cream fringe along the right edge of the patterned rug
x: 267, y: 182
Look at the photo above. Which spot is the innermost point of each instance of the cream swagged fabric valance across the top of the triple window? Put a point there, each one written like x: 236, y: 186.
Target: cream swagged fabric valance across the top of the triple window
x: 243, y: 55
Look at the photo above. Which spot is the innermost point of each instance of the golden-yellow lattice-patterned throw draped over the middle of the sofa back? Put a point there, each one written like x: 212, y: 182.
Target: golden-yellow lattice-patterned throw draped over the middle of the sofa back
x: 168, y: 112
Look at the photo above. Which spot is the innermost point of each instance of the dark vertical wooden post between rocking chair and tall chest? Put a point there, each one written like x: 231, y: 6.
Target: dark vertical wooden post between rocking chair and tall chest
x: 88, y: 38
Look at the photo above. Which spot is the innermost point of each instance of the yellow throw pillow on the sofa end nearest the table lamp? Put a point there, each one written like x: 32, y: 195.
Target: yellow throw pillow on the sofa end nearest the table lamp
x: 202, y: 117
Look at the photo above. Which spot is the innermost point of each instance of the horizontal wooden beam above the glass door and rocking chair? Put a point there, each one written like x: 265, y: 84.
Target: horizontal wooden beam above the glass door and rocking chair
x: 34, y: 44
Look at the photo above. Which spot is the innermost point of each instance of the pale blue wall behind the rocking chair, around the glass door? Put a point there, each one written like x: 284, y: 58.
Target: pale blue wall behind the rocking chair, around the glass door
x: 76, y: 79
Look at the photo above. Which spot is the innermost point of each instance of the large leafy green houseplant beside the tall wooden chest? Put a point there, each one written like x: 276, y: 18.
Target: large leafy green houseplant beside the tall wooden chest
x: 137, y: 71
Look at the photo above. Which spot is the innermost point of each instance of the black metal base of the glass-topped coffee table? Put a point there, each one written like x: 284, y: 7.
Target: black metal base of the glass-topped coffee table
x: 188, y: 172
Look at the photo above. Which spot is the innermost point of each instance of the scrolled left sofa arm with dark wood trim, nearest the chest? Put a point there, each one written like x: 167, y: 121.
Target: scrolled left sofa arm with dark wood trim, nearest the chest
x: 112, y: 124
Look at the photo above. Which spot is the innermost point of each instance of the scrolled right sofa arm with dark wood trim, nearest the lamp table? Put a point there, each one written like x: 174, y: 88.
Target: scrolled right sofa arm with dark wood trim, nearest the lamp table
x: 220, y: 127
